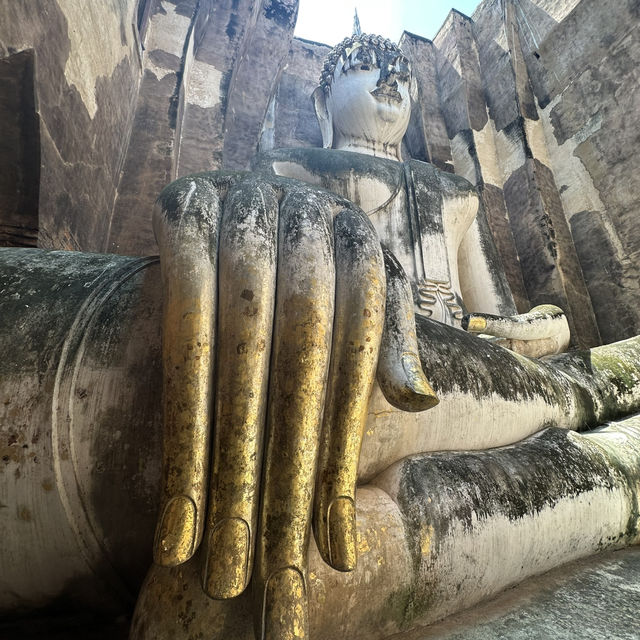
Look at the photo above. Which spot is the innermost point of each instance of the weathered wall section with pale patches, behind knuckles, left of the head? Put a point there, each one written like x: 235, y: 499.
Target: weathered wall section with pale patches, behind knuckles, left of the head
x: 210, y: 69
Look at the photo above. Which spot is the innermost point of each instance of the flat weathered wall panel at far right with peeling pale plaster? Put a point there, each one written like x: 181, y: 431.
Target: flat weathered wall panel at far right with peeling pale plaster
x: 584, y: 70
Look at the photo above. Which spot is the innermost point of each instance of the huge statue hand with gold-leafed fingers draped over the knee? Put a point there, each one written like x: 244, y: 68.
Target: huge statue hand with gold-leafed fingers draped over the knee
x: 273, y: 320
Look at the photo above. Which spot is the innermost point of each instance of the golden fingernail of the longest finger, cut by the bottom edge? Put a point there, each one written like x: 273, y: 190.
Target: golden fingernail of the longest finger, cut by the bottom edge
x: 285, y: 606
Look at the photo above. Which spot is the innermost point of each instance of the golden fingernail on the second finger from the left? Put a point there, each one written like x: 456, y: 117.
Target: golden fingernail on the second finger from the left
x: 226, y: 570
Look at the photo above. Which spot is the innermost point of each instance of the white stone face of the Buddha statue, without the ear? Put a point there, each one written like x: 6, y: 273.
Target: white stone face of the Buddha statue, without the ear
x: 369, y: 97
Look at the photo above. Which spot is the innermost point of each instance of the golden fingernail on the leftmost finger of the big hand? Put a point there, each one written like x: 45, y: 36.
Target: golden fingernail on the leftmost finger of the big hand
x: 176, y: 532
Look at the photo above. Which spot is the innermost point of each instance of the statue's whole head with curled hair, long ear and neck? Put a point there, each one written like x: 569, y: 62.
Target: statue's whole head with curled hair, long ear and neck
x: 363, y: 102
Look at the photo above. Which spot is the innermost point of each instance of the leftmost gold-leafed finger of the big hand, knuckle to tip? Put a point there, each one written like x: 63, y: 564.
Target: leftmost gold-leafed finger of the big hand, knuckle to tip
x: 186, y: 227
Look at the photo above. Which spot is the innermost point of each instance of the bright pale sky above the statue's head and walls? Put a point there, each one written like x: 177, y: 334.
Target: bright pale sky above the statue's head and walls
x: 329, y: 21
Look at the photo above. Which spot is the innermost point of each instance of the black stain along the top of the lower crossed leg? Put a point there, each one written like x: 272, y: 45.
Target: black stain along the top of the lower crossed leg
x: 510, y: 481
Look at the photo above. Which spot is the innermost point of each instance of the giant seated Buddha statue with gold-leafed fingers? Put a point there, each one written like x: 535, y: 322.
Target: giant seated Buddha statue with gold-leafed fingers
x: 322, y: 369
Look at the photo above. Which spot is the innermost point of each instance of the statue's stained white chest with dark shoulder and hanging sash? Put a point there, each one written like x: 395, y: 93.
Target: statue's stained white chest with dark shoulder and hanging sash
x: 420, y: 213
